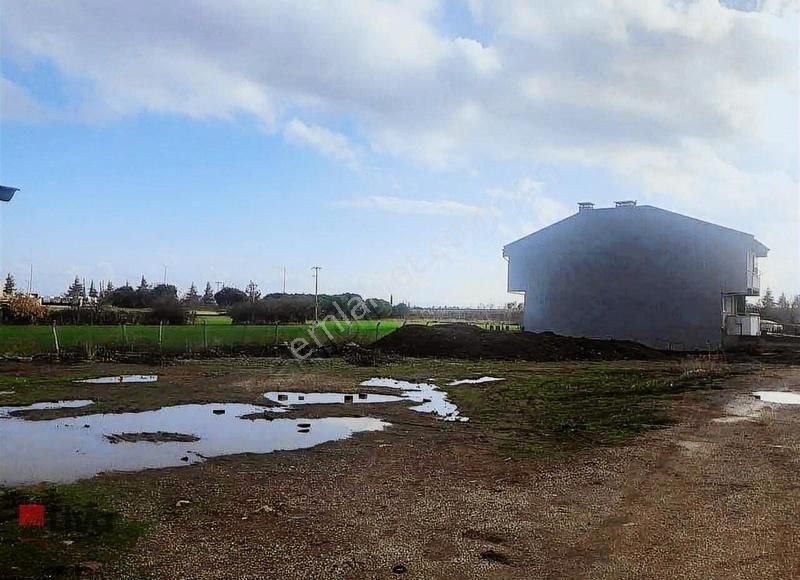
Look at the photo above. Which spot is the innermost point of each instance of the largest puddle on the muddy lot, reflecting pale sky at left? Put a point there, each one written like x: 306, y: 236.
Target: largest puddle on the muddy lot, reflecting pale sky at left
x: 67, y: 449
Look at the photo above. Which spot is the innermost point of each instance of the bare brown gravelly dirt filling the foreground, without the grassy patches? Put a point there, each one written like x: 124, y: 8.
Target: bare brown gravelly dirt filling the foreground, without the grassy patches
x: 713, y: 496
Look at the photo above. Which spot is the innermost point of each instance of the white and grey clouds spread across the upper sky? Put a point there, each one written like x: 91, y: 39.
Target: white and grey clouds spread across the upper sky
x: 671, y: 96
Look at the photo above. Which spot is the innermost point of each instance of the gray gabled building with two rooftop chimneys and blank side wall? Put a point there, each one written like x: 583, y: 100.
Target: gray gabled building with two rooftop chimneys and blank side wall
x: 638, y: 273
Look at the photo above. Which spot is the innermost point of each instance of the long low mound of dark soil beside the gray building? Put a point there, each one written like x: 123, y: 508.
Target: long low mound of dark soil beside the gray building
x: 467, y: 341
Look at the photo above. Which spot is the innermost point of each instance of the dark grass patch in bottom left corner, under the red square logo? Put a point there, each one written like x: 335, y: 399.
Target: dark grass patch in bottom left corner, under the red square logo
x: 81, y: 526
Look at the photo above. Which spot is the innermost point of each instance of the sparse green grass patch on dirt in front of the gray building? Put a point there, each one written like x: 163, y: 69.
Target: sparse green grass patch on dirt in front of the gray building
x: 579, y: 405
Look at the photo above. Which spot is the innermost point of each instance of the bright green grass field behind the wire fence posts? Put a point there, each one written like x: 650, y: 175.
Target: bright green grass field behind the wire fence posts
x: 31, y: 340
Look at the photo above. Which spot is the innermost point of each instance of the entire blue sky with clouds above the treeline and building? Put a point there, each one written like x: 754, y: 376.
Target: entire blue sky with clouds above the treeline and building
x: 398, y: 145
